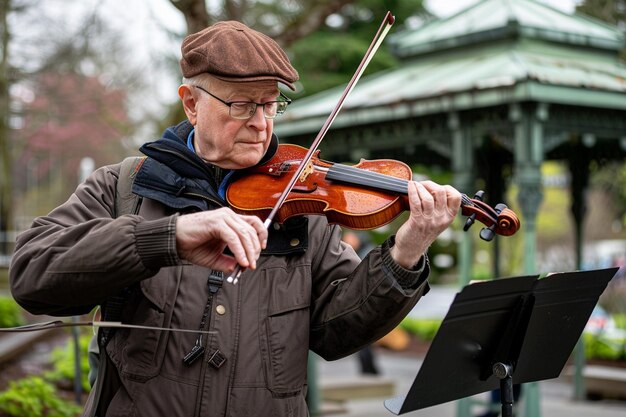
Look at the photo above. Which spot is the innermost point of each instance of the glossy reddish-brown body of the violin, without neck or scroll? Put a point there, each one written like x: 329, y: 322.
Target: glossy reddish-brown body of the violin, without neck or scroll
x: 353, y: 206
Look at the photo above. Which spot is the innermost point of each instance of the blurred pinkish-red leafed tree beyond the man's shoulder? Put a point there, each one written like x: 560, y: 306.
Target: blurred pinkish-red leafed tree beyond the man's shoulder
x: 70, y: 117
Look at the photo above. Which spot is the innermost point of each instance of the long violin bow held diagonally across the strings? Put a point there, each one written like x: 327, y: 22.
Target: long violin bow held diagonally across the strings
x: 386, y: 24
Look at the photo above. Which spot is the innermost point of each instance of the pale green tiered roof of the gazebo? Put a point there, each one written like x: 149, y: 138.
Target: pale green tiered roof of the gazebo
x: 495, y: 52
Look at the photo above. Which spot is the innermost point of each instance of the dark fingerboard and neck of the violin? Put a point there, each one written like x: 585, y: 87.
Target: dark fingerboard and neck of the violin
x: 355, y: 176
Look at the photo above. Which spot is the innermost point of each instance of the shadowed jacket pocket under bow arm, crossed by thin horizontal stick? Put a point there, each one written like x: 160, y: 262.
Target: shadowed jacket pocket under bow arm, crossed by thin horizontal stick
x: 141, y: 350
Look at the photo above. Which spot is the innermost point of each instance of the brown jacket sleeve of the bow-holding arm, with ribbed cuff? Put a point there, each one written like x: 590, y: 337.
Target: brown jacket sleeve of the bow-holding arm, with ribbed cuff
x: 78, y: 255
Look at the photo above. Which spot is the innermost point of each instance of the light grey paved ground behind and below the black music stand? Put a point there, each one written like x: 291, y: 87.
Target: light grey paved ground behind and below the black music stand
x: 555, y: 395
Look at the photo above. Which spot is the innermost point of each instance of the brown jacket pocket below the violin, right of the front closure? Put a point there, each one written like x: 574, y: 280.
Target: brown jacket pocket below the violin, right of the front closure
x: 286, y: 323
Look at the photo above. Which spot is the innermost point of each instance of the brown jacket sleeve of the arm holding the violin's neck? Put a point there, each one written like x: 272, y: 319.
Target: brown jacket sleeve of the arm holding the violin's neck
x: 356, y: 303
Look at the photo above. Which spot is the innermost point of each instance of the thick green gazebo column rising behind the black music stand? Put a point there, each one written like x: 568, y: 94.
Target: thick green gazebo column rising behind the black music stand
x: 528, y: 136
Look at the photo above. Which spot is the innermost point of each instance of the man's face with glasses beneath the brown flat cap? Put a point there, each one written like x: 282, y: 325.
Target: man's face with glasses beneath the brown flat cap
x: 221, y: 139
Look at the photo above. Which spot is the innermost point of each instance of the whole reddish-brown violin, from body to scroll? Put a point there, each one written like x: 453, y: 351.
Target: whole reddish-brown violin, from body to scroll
x: 362, y: 197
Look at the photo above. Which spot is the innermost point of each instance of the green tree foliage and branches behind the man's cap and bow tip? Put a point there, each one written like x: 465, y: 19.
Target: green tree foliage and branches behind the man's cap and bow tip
x: 326, y: 39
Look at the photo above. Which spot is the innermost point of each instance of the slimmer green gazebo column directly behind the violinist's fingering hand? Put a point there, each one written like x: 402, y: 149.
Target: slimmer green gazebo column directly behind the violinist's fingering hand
x: 462, y: 168
